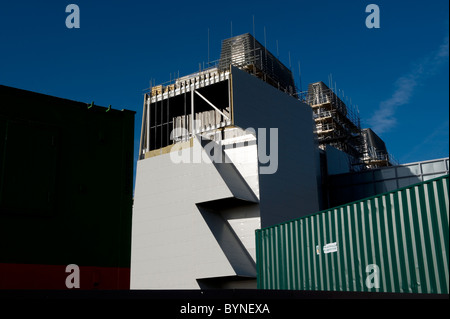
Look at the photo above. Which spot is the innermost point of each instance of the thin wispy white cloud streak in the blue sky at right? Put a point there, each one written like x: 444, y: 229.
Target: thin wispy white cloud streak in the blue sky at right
x: 384, y: 117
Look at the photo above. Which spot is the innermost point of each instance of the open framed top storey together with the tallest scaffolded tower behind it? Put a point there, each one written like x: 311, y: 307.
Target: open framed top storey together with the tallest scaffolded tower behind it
x: 200, y: 102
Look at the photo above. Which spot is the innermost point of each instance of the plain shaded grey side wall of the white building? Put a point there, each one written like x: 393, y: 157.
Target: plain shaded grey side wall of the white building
x: 292, y: 191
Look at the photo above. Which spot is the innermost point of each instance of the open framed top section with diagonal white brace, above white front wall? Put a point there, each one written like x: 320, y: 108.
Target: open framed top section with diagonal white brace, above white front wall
x: 177, y: 110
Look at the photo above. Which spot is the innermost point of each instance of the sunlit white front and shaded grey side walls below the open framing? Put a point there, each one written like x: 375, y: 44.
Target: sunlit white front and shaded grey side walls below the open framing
x: 194, y: 219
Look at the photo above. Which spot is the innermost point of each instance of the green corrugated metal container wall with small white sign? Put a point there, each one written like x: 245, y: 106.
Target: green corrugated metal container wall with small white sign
x: 404, y: 233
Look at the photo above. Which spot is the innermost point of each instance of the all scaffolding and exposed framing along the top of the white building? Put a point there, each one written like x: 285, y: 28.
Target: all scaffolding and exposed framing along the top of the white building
x: 200, y: 102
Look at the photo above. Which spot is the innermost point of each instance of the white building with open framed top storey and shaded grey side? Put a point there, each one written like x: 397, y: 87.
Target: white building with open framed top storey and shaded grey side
x: 241, y: 156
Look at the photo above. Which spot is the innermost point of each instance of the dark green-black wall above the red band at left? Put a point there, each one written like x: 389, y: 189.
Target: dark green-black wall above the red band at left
x: 66, y: 181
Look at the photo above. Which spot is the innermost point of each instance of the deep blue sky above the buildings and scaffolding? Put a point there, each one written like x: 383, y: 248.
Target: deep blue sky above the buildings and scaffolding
x: 397, y: 75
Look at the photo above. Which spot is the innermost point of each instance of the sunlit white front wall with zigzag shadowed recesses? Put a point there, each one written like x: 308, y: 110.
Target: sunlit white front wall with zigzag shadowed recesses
x: 189, y: 227
